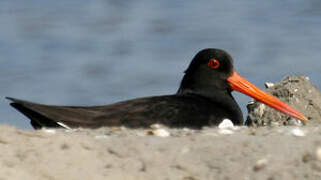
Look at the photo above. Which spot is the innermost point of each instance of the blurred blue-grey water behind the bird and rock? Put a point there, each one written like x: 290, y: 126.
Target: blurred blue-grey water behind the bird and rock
x: 81, y: 52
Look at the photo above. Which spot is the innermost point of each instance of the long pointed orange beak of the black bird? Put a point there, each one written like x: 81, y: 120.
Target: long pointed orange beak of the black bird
x: 240, y: 84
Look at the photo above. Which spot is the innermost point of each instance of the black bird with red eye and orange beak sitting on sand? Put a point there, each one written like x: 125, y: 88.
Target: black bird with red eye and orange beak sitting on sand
x: 203, y: 98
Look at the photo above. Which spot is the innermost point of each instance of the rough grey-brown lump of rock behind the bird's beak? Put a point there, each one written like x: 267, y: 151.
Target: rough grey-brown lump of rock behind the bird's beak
x: 296, y: 91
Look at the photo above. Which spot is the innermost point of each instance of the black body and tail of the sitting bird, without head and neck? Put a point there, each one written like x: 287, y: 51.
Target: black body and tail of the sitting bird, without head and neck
x: 172, y: 110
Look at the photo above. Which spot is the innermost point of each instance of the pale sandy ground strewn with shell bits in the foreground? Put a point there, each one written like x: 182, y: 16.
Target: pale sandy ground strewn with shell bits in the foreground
x: 119, y: 153
